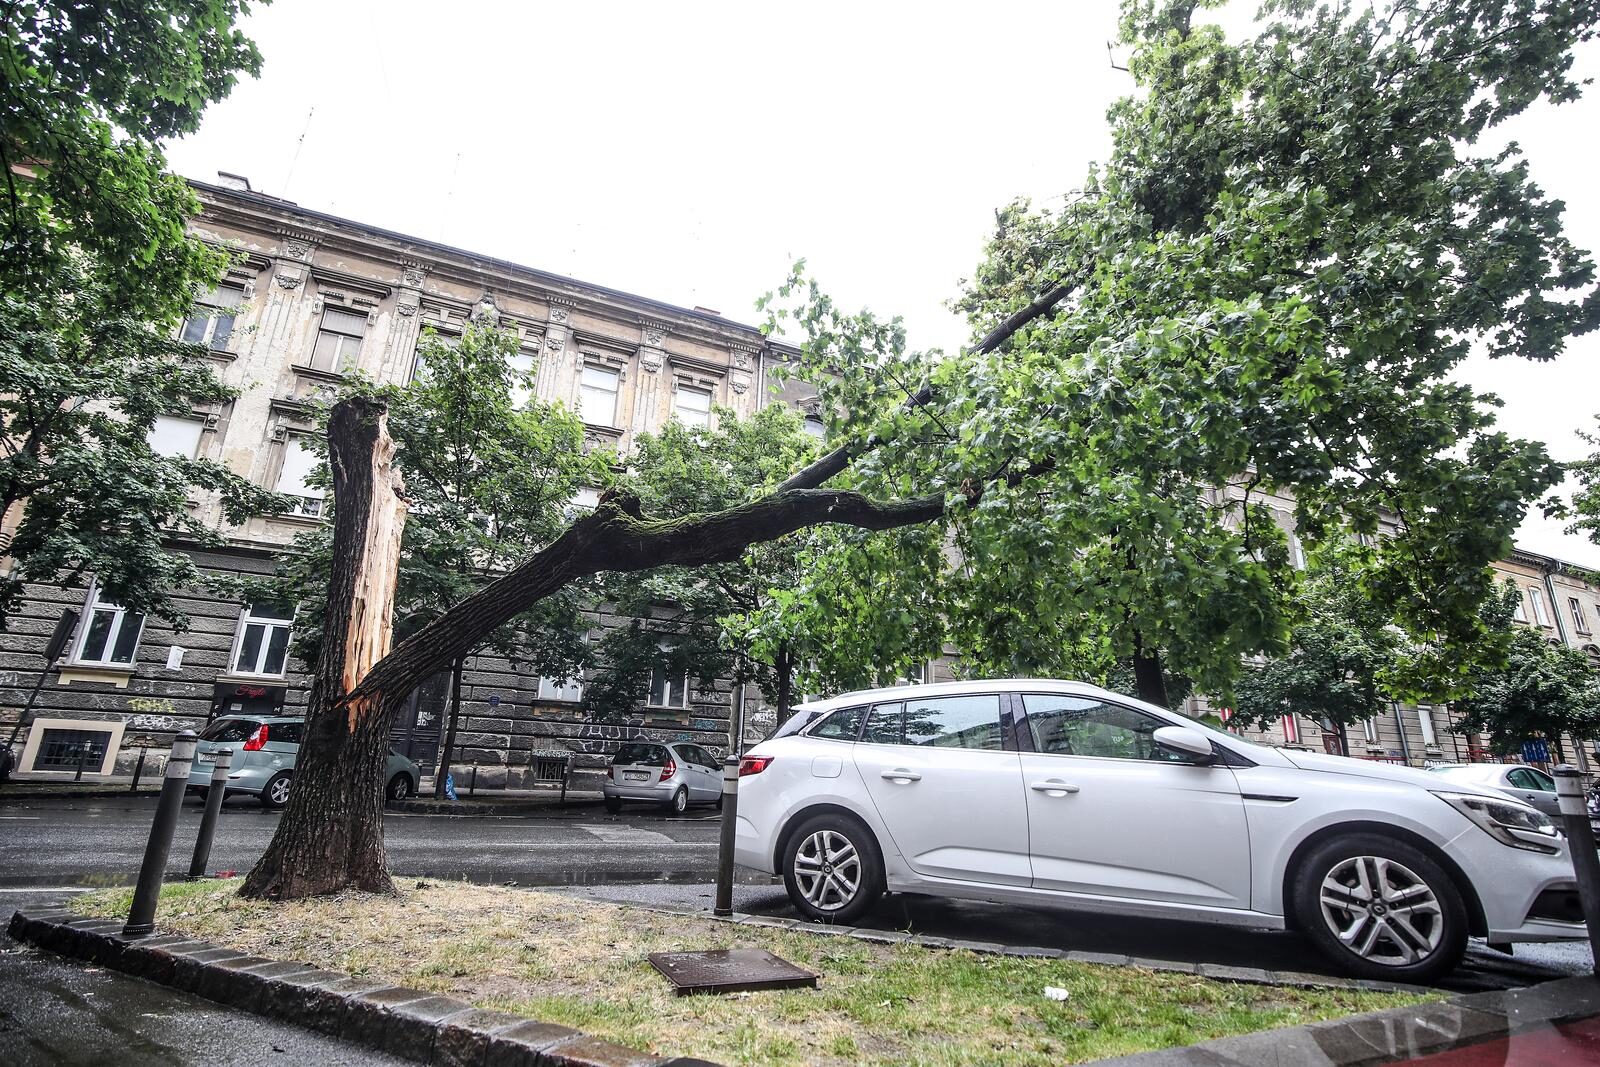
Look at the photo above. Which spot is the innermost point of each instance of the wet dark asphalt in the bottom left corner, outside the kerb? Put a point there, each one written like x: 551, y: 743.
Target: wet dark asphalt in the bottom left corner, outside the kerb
x: 57, y: 1015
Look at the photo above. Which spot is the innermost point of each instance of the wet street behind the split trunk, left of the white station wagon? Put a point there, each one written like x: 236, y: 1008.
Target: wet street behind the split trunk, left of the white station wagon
x: 100, y: 842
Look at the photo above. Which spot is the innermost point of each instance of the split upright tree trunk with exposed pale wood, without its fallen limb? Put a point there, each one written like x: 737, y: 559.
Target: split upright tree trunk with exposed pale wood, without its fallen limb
x: 330, y: 836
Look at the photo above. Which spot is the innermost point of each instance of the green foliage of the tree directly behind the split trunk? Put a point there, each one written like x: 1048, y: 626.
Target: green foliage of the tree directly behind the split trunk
x: 489, y: 484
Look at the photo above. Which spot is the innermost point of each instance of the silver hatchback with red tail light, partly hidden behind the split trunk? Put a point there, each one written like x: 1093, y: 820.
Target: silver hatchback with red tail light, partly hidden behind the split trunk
x: 265, y: 753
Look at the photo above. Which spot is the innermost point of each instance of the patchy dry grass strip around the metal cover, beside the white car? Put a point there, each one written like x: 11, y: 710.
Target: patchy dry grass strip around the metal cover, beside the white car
x: 583, y: 964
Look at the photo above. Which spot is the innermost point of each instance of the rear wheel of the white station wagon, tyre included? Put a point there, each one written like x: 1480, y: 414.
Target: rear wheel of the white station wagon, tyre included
x: 833, y: 869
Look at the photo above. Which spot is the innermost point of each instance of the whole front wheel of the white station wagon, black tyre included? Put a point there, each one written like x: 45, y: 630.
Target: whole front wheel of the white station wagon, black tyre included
x: 1382, y: 909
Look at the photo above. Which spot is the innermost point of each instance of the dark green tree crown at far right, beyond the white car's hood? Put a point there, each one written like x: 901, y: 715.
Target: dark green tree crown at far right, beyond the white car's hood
x: 1538, y: 689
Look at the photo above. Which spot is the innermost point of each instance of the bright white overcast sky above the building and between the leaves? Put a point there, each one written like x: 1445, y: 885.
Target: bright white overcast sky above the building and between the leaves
x: 690, y: 151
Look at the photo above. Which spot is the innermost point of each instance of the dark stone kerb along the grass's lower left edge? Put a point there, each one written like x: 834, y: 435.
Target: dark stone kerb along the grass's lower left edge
x: 406, y: 1023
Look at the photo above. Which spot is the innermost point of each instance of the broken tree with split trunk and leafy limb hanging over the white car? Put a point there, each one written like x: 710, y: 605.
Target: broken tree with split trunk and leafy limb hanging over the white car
x: 1268, y: 287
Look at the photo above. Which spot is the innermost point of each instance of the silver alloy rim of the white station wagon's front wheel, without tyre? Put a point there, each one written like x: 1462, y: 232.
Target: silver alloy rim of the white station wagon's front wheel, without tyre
x: 1382, y: 911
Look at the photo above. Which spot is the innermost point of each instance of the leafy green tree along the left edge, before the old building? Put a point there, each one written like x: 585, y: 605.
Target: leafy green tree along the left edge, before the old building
x: 98, y: 270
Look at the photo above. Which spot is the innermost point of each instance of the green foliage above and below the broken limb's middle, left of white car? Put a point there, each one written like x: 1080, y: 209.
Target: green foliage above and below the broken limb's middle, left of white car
x: 698, y: 621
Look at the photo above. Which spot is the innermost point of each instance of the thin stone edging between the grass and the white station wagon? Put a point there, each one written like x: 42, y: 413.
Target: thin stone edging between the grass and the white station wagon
x: 1218, y: 972
